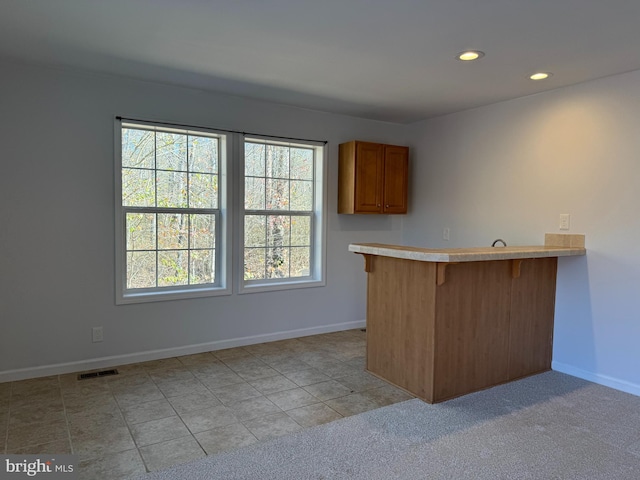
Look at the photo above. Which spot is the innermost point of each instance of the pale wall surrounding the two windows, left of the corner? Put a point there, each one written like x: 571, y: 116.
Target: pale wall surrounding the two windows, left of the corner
x: 57, y: 222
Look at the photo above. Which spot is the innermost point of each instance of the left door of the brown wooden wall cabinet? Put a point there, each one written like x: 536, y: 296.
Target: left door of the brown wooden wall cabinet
x: 369, y: 173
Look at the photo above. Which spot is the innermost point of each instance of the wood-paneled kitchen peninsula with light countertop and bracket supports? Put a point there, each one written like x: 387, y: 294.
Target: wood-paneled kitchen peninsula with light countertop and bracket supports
x: 447, y: 322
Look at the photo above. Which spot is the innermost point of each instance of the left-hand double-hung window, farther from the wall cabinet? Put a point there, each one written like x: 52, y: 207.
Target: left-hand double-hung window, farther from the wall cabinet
x: 170, y: 219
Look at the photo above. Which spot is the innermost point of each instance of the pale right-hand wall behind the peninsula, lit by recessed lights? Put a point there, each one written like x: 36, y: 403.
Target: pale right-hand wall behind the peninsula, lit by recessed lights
x: 508, y: 170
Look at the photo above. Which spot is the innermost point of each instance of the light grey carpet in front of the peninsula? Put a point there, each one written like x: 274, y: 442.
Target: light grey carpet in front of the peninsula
x: 549, y: 426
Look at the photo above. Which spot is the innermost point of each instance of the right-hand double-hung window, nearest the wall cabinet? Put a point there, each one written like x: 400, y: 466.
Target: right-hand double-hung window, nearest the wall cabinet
x: 283, y: 214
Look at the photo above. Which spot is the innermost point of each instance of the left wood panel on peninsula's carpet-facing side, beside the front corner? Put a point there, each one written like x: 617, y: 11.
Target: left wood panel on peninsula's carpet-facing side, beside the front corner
x: 472, y: 328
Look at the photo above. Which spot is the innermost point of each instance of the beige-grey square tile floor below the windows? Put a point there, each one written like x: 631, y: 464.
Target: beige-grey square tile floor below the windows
x: 156, y: 414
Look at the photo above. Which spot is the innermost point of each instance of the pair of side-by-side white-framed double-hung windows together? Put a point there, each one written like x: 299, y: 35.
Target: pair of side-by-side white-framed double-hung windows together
x: 180, y: 228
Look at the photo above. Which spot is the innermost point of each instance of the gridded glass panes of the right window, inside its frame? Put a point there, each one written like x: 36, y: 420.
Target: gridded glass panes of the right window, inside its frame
x: 279, y: 187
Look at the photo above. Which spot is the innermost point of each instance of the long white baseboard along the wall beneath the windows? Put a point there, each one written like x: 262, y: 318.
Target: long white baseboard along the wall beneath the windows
x: 114, y: 361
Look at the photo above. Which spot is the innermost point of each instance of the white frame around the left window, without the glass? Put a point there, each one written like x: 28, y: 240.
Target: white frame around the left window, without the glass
x: 224, y: 239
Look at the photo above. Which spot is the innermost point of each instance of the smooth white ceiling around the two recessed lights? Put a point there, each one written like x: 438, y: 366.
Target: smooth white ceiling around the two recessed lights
x: 390, y: 60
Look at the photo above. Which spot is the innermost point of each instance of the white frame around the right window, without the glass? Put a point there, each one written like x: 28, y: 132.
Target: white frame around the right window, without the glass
x: 317, y: 275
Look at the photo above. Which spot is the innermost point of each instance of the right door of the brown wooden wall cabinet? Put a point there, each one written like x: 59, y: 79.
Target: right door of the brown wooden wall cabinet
x: 396, y: 164
